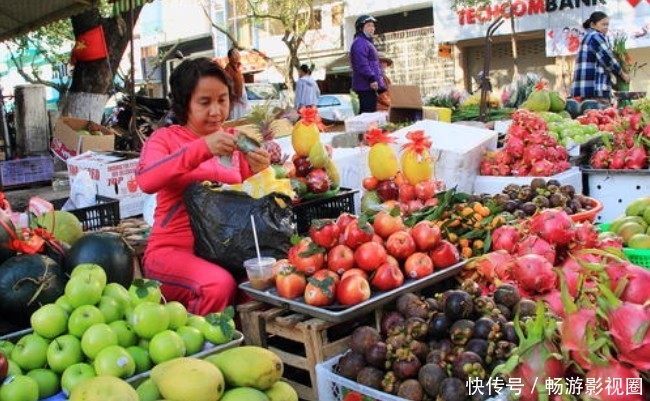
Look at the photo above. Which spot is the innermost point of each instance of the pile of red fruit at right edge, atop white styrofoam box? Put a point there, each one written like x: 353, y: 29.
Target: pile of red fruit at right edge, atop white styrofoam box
x: 629, y: 148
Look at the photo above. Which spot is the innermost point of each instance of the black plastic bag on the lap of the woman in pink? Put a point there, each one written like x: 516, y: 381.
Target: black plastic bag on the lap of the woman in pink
x: 223, y: 233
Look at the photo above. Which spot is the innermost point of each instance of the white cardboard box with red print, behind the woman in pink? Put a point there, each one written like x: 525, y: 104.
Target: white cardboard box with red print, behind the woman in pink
x: 114, y: 176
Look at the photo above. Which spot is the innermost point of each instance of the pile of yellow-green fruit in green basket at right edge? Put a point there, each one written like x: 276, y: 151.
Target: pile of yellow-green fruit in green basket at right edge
x: 634, y: 226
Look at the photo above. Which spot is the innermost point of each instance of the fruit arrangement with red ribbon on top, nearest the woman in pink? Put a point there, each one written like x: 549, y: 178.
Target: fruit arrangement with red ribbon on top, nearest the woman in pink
x: 315, y: 170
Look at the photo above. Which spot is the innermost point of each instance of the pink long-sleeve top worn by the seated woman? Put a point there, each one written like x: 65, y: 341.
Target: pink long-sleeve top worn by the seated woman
x: 172, y: 158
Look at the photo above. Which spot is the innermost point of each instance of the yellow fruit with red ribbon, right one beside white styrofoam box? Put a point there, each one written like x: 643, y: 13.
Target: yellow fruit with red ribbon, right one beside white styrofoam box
x: 417, y: 162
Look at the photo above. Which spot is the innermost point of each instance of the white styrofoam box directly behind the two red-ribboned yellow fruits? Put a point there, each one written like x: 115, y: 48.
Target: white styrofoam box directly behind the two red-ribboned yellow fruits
x: 457, y: 149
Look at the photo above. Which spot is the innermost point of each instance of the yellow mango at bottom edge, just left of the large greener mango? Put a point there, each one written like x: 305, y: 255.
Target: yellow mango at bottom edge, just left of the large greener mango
x: 188, y: 379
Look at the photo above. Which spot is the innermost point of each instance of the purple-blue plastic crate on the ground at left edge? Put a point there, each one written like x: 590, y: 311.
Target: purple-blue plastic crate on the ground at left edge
x: 27, y: 171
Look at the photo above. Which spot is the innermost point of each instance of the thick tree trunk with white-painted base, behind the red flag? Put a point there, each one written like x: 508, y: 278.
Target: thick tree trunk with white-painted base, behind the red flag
x: 92, y: 81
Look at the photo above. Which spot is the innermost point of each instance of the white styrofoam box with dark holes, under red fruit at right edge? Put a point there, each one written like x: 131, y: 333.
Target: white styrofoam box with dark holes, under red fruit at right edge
x: 616, y: 189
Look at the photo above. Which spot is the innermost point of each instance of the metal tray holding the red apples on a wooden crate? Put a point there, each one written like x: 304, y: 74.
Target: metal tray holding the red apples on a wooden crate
x: 337, y: 313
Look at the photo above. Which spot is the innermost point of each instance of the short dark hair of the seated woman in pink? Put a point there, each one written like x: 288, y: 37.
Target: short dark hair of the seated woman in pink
x: 184, y: 79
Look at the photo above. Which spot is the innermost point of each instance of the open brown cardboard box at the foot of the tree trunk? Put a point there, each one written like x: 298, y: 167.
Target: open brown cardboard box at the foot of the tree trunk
x: 66, y: 143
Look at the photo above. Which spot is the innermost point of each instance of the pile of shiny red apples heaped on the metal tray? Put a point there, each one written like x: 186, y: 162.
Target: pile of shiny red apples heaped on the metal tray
x: 342, y: 260
